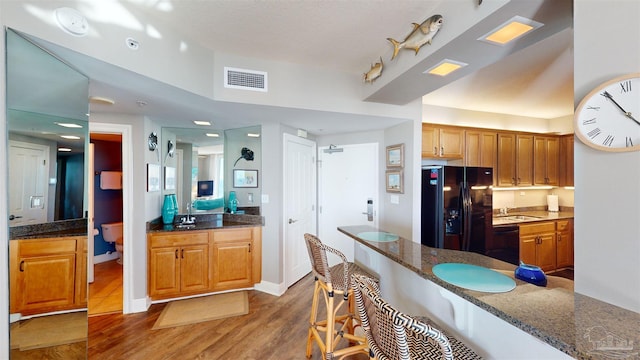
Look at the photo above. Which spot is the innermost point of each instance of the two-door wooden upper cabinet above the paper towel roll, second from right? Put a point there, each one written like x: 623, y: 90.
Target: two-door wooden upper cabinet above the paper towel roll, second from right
x: 546, y: 160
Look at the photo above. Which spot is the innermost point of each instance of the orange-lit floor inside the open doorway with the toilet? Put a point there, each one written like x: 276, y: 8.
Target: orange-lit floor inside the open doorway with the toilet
x: 105, y: 293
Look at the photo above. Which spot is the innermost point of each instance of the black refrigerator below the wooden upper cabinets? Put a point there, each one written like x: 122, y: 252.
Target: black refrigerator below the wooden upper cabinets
x: 456, y: 207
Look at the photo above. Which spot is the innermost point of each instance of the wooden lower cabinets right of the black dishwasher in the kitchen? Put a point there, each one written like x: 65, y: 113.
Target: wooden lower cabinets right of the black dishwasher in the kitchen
x: 548, y: 244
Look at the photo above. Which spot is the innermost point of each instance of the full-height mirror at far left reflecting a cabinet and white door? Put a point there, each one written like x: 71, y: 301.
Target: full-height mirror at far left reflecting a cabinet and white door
x: 47, y: 126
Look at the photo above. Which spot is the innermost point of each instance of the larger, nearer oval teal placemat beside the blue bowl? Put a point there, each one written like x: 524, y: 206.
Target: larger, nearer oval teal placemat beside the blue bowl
x: 474, y: 277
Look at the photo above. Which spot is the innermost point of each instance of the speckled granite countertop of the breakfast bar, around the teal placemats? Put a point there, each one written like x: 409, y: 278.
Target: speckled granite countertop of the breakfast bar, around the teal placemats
x: 578, y: 325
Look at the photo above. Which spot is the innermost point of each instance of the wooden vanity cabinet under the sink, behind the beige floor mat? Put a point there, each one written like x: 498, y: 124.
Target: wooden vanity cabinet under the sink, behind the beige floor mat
x: 186, y: 263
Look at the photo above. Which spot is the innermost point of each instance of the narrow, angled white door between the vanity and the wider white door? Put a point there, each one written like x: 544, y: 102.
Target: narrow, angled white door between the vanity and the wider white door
x: 299, y: 198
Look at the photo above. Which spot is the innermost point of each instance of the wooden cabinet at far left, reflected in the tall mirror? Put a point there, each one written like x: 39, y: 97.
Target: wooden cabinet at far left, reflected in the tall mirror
x: 47, y: 275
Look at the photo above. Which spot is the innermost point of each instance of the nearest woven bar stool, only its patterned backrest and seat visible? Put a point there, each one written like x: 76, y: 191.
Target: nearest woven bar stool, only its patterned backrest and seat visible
x: 392, y: 335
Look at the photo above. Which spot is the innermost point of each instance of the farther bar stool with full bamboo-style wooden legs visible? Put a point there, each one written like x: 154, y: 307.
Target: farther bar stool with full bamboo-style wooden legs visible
x: 333, y: 285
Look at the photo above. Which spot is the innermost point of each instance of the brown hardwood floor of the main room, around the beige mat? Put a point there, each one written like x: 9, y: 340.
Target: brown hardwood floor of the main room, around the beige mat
x: 275, y: 328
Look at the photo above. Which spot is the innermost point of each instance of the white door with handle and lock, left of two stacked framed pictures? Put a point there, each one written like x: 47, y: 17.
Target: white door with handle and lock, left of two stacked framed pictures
x: 348, y: 181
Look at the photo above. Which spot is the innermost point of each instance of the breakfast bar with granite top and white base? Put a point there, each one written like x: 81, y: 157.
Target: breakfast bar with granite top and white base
x: 527, y: 322
